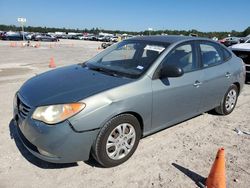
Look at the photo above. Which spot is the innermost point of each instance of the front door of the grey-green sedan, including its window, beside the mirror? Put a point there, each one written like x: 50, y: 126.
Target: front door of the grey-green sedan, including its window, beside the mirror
x: 176, y: 99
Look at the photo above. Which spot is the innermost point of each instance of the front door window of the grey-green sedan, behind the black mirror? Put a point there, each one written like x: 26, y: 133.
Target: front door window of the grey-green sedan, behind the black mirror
x: 183, y: 56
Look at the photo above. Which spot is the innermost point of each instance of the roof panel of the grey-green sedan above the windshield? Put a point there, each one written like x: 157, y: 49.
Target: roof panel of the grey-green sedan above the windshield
x: 166, y: 38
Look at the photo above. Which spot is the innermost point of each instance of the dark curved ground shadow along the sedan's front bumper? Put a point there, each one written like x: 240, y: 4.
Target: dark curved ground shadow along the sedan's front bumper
x: 31, y: 158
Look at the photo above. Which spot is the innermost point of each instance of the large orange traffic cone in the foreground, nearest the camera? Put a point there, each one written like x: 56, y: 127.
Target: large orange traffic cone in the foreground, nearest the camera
x: 217, y: 175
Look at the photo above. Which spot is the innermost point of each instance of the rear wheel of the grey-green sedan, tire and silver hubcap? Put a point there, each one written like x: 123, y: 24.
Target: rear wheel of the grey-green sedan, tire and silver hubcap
x: 229, y: 101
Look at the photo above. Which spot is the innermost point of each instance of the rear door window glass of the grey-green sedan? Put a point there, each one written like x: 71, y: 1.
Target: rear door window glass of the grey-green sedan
x: 210, y: 54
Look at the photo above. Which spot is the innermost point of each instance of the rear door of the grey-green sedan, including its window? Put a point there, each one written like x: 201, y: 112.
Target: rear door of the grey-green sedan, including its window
x: 216, y: 74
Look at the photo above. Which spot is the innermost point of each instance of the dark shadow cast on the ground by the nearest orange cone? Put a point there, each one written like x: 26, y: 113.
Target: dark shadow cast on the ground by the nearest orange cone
x: 198, y: 179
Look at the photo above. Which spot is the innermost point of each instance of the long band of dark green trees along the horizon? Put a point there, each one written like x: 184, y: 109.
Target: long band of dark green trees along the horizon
x: 146, y: 32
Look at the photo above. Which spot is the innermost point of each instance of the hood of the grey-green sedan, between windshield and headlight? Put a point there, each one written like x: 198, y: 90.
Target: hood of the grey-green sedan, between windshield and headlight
x: 68, y: 84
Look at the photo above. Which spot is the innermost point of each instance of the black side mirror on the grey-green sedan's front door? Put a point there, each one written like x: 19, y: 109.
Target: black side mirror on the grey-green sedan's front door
x: 171, y: 71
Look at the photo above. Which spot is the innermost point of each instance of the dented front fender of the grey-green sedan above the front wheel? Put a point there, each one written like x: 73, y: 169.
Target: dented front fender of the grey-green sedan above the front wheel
x: 104, y: 106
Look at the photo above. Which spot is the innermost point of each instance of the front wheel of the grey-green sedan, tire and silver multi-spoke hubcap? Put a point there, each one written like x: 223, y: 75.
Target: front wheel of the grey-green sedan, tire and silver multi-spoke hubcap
x: 117, y: 140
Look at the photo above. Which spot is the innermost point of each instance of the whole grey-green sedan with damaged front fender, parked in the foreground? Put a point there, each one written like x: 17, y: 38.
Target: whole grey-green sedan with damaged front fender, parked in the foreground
x: 134, y: 88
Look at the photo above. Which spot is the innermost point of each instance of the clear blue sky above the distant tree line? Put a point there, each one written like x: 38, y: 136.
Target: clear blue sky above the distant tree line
x: 130, y: 15
